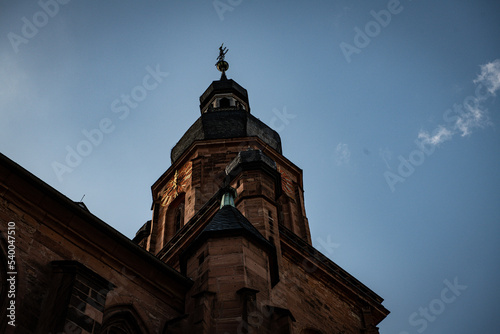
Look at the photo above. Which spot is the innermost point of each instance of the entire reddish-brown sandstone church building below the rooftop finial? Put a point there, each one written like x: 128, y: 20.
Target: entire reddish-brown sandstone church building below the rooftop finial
x: 202, y: 264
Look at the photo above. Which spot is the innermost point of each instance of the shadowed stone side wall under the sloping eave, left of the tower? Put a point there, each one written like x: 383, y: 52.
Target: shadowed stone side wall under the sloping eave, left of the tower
x: 42, y: 238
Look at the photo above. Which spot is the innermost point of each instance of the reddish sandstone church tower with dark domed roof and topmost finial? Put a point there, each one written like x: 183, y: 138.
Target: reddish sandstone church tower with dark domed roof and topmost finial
x: 229, y: 214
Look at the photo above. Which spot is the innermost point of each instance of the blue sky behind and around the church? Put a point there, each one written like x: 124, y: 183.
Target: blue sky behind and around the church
x: 391, y: 111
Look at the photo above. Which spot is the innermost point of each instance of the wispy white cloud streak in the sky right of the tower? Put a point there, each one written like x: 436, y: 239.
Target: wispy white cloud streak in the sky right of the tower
x: 471, y: 114
